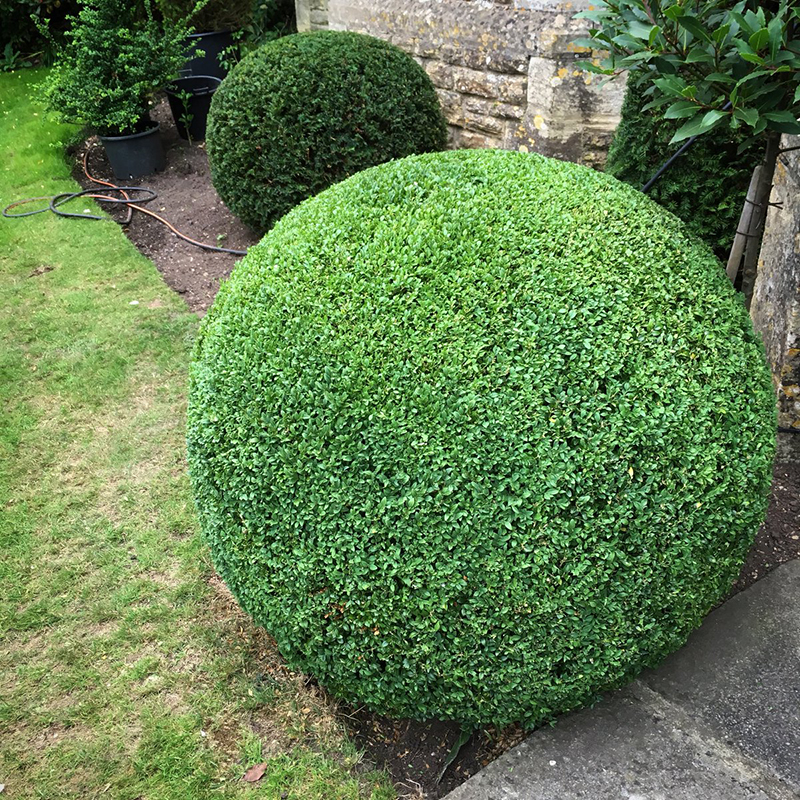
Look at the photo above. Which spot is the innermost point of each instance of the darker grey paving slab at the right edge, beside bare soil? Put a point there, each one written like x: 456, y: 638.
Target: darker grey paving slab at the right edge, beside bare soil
x: 740, y: 673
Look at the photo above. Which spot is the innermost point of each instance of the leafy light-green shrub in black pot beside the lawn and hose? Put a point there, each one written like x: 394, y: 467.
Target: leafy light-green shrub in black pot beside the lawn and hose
x: 117, y: 55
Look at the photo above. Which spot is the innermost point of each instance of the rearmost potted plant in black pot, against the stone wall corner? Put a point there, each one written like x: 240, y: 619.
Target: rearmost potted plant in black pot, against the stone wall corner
x: 217, y: 24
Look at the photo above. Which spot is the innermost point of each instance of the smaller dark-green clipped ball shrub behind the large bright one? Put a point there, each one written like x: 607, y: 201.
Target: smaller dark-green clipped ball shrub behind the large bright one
x: 308, y: 110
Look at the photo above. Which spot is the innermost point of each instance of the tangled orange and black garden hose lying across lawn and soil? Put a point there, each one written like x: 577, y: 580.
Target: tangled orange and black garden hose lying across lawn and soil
x: 55, y: 202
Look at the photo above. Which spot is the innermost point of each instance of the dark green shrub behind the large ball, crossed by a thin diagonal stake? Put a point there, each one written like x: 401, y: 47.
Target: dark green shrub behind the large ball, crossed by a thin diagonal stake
x: 705, y: 187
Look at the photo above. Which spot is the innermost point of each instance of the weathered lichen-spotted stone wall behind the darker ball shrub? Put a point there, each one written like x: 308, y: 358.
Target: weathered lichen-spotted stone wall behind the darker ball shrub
x: 504, y: 69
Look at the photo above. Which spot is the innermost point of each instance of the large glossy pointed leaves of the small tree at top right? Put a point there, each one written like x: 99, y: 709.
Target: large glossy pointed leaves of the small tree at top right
x: 713, y: 64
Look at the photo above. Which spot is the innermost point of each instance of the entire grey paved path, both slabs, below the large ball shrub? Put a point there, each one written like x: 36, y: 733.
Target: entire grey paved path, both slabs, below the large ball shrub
x: 719, y: 720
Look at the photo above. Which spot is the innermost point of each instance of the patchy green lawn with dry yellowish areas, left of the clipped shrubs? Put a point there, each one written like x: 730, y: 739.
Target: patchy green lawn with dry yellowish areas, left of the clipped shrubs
x: 126, y: 669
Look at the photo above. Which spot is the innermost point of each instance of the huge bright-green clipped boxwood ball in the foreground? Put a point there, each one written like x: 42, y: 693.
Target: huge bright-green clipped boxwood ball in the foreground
x: 478, y: 435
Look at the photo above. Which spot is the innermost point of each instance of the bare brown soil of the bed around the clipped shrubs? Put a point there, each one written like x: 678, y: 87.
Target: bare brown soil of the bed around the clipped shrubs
x: 414, y: 753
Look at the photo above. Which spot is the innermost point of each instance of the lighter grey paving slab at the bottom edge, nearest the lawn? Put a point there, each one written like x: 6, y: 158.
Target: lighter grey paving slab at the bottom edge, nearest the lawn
x: 619, y: 749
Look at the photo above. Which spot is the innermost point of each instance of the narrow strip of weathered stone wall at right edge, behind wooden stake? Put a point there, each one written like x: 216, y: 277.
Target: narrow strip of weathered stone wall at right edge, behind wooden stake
x: 776, y: 299
